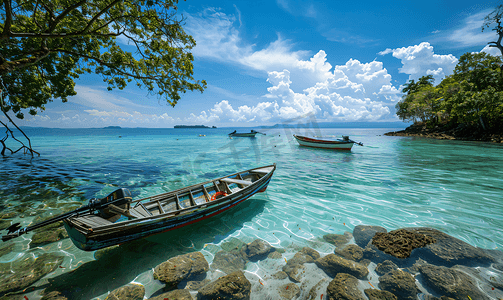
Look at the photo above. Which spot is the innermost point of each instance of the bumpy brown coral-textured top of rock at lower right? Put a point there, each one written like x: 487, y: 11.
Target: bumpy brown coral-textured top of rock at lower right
x: 401, y: 242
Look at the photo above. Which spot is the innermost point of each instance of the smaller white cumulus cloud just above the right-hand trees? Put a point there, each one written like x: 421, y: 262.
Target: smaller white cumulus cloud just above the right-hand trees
x: 420, y: 60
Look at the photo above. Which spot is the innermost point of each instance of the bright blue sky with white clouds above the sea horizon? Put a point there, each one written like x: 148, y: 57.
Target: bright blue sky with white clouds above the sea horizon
x: 267, y: 62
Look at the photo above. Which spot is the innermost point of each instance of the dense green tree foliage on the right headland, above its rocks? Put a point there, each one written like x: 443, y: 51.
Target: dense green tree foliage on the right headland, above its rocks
x: 473, y: 95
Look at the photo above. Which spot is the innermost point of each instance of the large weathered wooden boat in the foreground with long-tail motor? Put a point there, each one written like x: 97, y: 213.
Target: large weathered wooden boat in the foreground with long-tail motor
x: 117, y: 218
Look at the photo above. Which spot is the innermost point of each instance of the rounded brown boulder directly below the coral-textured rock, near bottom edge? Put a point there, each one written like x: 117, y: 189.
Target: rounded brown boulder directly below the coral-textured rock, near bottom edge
x: 399, y: 283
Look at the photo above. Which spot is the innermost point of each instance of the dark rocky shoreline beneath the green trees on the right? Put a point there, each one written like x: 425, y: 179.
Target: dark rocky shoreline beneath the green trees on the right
x: 449, y: 132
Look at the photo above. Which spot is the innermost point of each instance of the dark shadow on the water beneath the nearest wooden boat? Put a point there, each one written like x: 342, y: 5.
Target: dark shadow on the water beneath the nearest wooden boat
x: 119, y: 265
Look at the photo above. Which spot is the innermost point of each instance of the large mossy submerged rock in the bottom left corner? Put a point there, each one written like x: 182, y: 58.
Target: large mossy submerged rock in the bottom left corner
x: 27, y: 270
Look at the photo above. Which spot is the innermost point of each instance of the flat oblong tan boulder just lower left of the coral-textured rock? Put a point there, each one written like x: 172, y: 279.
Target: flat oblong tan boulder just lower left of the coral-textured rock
x: 333, y: 264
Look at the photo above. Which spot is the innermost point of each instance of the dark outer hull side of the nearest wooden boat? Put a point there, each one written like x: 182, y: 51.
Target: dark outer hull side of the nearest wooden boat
x: 160, y: 223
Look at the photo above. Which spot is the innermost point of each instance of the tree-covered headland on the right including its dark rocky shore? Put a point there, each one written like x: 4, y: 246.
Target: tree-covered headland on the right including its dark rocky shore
x: 467, y: 105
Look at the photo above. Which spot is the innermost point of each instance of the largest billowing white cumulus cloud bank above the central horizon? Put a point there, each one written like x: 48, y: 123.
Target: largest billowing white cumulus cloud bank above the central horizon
x: 352, y: 92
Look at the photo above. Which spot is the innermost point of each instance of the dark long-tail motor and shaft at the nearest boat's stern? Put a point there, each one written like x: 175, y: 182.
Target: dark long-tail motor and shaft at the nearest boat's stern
x: 118, y: 197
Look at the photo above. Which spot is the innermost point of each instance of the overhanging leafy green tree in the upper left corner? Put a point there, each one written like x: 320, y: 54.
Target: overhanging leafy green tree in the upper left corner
x: 46, y: 44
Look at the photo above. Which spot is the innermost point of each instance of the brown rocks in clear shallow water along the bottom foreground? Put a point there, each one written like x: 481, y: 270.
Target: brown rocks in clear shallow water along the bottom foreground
x: 369, y: 263
